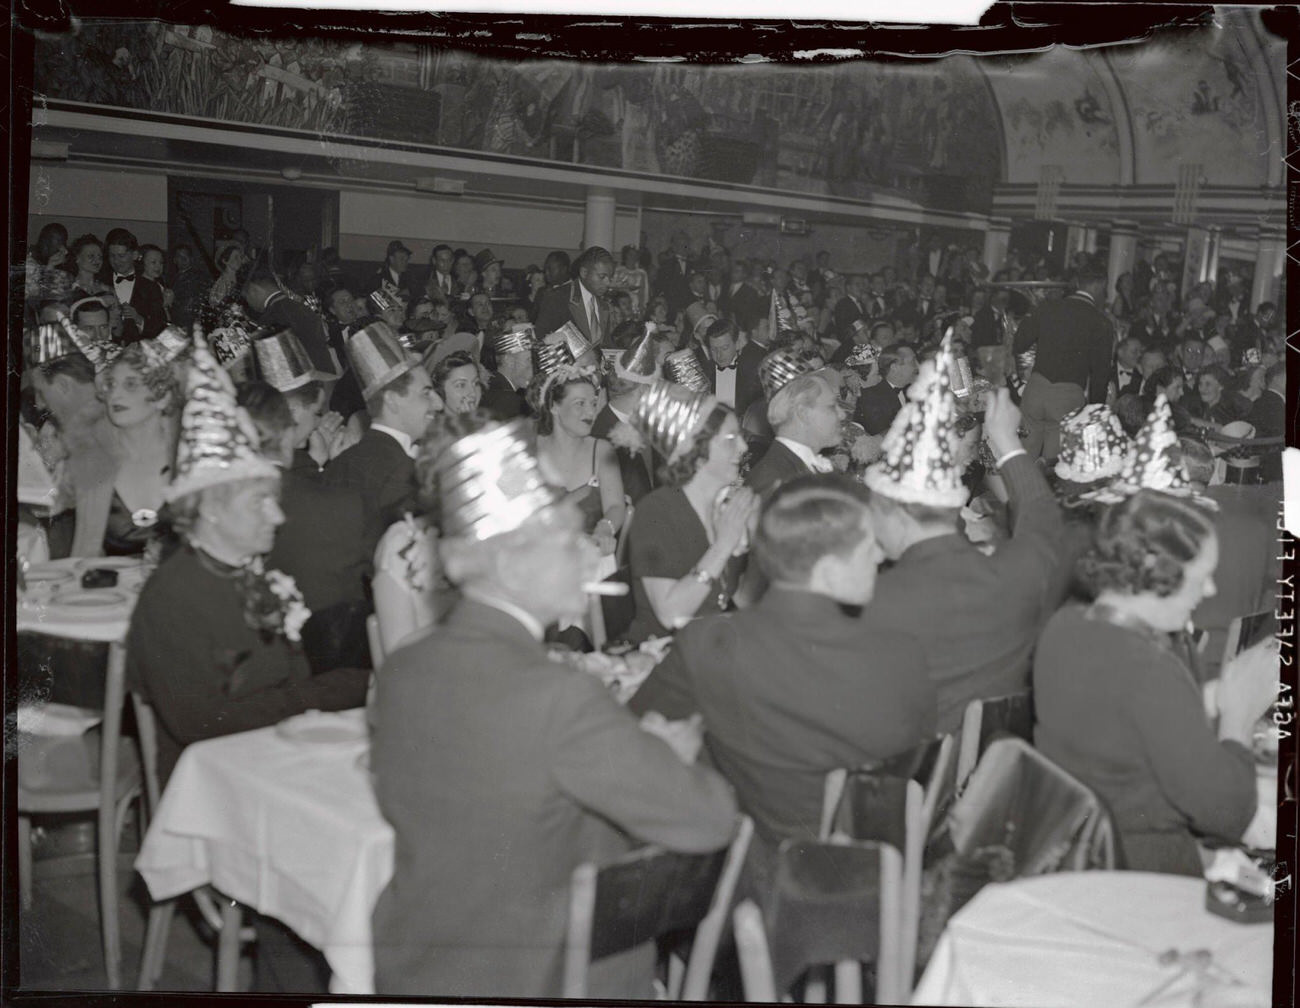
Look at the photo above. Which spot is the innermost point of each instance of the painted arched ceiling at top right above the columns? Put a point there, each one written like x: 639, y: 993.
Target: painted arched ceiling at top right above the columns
x: 1133, y: 115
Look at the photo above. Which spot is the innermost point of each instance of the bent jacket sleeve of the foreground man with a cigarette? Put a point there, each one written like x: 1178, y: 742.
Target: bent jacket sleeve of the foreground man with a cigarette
x: 605, y: 763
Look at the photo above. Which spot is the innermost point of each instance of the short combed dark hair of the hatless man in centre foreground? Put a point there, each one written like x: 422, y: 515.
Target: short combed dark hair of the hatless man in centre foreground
x: 807, y: 520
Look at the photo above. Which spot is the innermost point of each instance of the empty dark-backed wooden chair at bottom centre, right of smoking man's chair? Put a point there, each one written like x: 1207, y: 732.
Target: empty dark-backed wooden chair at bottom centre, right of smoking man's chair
x: 827, y: 905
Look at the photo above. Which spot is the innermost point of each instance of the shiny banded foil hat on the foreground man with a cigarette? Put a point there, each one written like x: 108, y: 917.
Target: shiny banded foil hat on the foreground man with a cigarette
x: 489, y: 483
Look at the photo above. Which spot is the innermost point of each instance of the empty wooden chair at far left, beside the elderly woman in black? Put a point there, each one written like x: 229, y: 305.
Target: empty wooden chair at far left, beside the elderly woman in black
x: 110, y: 795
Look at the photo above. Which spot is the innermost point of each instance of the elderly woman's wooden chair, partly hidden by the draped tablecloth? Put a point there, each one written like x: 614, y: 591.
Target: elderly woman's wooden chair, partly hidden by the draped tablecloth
x: 226, y: 920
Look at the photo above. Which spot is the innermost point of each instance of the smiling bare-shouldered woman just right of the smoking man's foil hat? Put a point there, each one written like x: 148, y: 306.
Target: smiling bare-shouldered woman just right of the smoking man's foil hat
x: 566, y: 404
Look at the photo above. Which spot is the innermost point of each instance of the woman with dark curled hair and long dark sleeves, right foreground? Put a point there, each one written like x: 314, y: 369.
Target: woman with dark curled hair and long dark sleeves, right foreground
x: 1117, y: 706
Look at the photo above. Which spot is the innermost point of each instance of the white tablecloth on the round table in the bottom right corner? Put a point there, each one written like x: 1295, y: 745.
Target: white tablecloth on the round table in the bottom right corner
x: 1089, y: 938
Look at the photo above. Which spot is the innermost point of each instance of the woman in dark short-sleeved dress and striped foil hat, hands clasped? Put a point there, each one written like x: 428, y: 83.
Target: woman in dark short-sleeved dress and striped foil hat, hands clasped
x: 686, y: 537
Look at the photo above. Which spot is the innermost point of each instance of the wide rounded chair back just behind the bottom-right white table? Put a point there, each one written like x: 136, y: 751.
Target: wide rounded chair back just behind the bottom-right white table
x: 1028, y: 816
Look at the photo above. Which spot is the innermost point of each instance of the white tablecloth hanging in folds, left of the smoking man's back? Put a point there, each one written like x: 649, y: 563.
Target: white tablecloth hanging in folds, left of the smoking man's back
x: 291, y: 829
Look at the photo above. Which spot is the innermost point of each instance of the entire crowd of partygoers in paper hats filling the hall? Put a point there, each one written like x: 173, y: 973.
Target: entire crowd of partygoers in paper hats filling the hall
x: 855, y: 504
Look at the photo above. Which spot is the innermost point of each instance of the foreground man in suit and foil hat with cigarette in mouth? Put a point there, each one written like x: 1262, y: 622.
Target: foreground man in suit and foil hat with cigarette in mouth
x: 502, y: 771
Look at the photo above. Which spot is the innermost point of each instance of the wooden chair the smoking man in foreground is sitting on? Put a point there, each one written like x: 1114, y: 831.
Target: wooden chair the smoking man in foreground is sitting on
x: 651, y: 894
